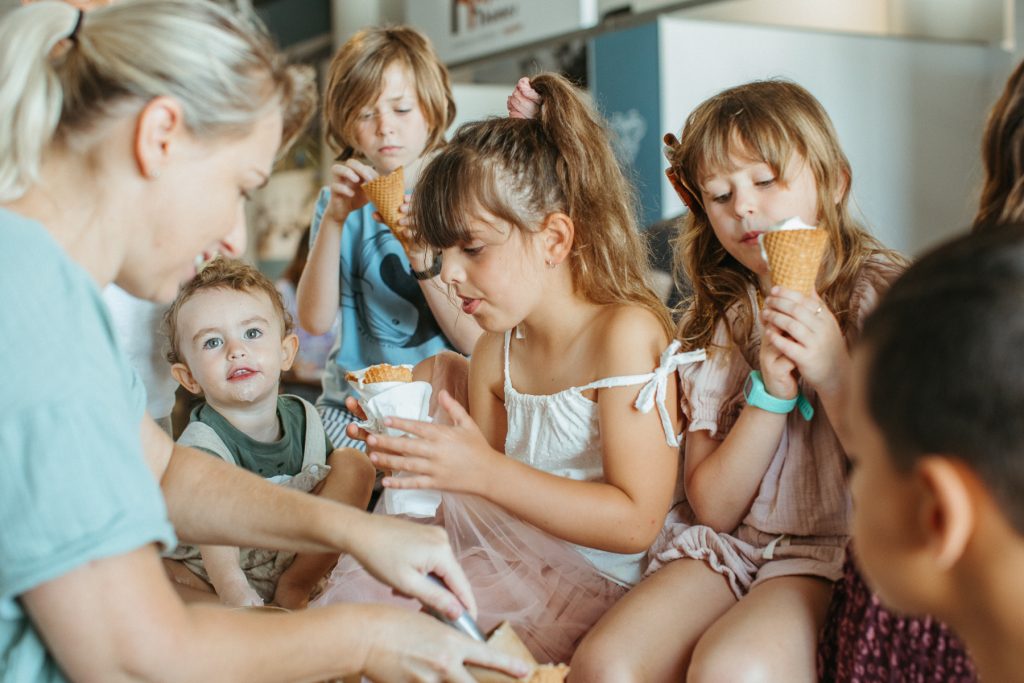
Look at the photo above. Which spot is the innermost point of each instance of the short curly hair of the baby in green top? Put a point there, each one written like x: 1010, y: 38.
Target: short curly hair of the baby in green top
x: 223, y: 274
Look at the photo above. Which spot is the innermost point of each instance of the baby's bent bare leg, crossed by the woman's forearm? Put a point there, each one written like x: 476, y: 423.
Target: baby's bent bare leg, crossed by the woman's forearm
x: 351, y: 482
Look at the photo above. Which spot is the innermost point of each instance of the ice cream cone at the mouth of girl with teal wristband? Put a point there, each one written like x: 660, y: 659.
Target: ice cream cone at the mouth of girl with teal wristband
x: 794, y: 252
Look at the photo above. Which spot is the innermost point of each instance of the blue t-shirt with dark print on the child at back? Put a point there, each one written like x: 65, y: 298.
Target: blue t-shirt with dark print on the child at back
x: 385, y: 316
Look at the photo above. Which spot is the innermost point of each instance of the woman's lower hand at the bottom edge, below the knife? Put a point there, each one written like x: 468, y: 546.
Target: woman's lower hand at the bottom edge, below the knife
x: 410, y: 647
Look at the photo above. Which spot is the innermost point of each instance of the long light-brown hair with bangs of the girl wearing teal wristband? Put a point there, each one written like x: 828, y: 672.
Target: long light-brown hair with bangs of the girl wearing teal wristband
x: 770, y: 121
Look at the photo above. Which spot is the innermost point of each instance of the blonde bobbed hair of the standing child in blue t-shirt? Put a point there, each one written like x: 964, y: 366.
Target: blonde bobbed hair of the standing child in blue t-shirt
x: 357, y: 76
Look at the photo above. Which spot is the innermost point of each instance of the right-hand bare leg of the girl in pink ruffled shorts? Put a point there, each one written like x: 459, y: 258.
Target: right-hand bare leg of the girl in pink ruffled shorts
x: 771, y: 635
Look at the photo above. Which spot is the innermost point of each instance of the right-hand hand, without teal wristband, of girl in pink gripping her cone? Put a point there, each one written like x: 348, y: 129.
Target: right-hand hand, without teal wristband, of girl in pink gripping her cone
x: 805, y: 331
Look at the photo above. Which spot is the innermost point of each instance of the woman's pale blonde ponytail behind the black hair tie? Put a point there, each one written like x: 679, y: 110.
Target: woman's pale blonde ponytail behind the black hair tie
x: 31, y: 95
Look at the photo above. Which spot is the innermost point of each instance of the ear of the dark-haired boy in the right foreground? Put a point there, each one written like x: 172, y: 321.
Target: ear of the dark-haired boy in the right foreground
x: 948, y: 515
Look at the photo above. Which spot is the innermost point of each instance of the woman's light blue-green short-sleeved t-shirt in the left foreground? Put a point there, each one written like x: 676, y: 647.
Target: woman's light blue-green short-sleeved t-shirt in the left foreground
x: 74, y: 486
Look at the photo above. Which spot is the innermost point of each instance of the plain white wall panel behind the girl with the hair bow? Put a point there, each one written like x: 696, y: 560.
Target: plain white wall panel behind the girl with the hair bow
x: 910, y: 114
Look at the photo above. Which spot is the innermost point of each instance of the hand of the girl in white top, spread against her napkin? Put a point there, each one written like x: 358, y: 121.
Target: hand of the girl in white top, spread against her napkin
x: 442, y: 457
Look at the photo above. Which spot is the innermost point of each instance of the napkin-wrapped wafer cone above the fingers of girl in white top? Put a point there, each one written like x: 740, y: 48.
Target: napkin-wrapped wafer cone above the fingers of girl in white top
x: 382, y: 397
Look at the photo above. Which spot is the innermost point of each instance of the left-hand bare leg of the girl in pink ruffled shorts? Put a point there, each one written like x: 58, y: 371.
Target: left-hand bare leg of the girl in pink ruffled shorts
x: 650, y: 634
